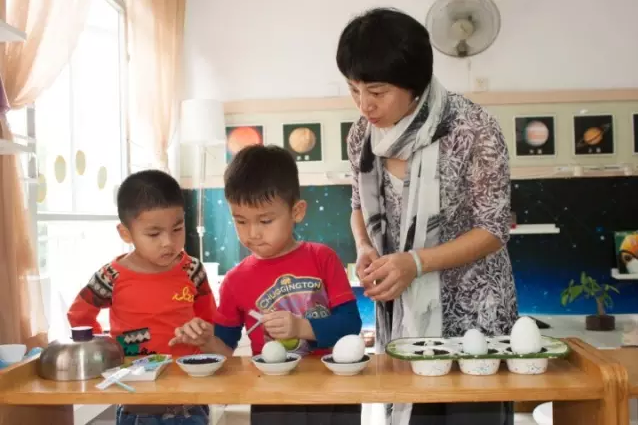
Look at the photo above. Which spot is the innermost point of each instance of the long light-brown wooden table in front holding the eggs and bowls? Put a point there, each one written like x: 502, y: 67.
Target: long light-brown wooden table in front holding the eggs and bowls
x: 583, y: 386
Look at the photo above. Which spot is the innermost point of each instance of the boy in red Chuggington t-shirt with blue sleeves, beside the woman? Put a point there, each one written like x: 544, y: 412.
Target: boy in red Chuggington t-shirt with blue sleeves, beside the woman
x: 301, y: 287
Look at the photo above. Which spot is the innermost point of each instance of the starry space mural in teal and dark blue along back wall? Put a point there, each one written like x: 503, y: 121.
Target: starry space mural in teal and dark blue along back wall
x: 587, y: 211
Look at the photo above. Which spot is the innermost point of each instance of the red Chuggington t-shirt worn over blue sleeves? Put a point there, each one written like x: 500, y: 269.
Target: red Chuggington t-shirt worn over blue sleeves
x: 309, y: 281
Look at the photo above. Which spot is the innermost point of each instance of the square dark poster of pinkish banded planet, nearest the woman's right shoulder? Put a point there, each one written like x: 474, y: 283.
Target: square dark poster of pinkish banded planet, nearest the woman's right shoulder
x: 535, y: 136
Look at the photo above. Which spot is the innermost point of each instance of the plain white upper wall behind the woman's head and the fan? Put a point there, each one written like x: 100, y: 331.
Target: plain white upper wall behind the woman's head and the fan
x: 247, y: 49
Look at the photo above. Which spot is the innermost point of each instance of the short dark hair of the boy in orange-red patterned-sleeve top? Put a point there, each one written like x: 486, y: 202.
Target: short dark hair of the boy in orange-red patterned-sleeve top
x: 147, y: 190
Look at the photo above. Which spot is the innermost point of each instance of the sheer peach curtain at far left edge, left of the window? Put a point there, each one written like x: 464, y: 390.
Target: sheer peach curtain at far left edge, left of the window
x: 52, y: 29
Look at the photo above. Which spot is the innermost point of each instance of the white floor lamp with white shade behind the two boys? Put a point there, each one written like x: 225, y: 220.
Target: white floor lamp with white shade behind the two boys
x: 203, y: 127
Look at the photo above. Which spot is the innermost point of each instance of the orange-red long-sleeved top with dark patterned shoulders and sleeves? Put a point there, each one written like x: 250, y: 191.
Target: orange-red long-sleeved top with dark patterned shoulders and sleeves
x: 145, y: 309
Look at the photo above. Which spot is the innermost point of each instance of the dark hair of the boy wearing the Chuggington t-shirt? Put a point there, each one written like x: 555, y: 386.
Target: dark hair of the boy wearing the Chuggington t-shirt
x: 258, y: 174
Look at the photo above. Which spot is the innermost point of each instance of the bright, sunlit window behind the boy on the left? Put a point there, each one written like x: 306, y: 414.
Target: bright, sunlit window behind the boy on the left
x: 81, y: 160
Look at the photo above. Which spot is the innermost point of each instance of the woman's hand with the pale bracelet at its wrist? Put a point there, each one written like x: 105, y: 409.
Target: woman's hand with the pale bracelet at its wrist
x: 393, y: 273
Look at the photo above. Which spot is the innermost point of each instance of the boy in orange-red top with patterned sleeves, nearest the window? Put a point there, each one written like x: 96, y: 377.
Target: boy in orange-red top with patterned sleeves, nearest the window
x: 151, y: 290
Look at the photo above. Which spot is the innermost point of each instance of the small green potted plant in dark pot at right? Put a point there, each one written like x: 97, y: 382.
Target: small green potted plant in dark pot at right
x: 590, y: 289
